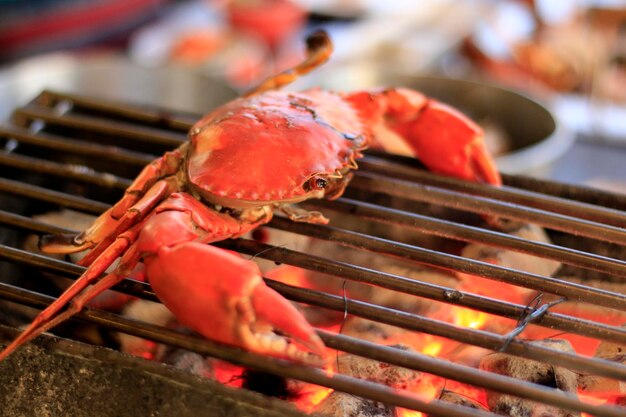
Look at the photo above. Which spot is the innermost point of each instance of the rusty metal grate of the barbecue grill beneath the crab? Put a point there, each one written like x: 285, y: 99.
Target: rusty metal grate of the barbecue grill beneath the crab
x: 68, y: 151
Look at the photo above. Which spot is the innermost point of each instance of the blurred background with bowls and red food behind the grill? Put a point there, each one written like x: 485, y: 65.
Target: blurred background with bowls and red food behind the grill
x: 546, y: 79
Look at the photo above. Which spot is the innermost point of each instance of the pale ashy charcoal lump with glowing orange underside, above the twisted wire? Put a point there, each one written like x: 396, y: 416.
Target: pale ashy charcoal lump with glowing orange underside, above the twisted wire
x: 509, y: 259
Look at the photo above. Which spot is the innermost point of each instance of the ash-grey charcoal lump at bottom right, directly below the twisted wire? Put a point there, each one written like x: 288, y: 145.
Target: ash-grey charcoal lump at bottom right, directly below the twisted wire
x: 531, y: 371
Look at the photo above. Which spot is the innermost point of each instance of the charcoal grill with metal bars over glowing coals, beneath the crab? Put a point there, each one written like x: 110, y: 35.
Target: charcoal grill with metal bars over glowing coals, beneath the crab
x: 434, y: 296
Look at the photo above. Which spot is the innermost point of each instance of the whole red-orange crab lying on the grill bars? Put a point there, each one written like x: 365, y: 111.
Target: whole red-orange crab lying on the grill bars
x: 263, y: 152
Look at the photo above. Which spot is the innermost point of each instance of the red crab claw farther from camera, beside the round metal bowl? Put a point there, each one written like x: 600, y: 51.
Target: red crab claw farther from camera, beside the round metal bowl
x: 445, y: 140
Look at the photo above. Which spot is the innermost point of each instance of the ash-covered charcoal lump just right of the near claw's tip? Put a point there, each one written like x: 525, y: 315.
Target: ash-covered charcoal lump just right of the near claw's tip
x: 380, y: 372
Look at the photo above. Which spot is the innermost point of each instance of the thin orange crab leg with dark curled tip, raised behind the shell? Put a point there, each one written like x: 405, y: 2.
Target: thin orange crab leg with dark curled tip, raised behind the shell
x: 319, y: 49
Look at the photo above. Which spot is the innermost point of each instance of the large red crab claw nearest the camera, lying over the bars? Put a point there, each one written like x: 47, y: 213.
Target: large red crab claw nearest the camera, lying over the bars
x: 224, y: 298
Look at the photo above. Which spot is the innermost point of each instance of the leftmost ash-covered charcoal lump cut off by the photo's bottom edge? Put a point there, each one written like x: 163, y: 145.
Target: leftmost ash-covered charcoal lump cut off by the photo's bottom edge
x: 339, y: 404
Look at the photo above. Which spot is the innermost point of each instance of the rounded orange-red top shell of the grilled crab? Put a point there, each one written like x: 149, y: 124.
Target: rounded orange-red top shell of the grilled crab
x: 263, y: 149
